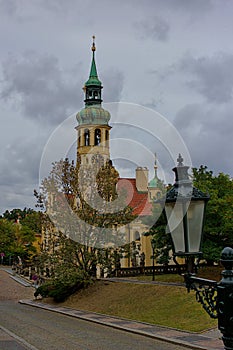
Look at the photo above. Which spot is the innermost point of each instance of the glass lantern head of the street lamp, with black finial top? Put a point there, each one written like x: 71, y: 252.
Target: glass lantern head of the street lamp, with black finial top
x: 185, y: 209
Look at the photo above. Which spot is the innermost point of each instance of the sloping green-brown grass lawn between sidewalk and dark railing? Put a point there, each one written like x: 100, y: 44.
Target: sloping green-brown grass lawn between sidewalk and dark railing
x: 169, y: 306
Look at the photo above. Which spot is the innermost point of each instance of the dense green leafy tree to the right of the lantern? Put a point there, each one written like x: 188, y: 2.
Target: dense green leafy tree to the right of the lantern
x: 219, y: 212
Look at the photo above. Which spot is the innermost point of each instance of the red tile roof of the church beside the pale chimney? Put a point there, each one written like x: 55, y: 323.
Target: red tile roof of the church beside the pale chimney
x: 136, y: 200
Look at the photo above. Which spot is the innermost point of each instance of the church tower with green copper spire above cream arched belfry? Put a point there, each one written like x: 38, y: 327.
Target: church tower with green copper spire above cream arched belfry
x: 93, y: 129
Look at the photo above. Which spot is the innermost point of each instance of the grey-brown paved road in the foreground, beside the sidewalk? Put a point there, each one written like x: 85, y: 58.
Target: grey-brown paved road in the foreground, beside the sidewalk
x: 46, y: 330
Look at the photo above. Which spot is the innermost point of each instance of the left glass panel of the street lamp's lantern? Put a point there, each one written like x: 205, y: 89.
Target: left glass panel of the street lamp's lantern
x: 174, y: 213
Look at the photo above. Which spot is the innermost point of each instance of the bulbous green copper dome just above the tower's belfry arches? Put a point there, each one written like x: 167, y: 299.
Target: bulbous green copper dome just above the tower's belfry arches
x: 93, y: 115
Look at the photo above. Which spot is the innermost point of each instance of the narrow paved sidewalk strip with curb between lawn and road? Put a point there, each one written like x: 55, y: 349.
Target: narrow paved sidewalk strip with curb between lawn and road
x: 174, y: 336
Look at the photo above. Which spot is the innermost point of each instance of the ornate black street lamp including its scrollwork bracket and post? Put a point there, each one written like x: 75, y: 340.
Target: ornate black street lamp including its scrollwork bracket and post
x: 185, y: 208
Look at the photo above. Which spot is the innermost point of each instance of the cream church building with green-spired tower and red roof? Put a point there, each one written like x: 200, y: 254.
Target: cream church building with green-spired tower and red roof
x: 93, y: 137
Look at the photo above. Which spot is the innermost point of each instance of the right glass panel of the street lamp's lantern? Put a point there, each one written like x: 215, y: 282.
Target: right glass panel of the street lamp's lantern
x: 195, y: 216
